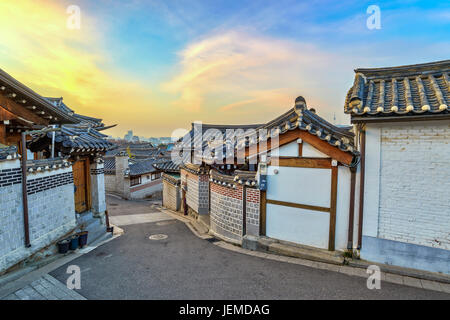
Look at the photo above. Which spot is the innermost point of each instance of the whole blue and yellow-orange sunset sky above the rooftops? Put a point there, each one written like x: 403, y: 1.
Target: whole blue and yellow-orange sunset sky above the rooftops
x: 157, y: 66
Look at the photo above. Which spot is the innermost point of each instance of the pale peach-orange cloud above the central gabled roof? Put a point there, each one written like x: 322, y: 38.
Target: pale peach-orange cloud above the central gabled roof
x: 239, y: 74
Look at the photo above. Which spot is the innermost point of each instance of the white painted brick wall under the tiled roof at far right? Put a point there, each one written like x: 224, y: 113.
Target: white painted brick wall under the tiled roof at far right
x: 414, y: 198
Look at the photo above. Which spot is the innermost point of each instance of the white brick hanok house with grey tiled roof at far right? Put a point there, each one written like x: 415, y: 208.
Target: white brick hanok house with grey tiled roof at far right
x: 403, y: 121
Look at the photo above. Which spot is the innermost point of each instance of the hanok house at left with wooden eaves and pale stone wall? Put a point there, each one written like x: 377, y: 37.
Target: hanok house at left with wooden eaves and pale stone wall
x: 36, y: 214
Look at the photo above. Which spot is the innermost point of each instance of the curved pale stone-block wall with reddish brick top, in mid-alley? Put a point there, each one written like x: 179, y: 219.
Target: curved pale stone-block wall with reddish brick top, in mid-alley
x: 227, y: 211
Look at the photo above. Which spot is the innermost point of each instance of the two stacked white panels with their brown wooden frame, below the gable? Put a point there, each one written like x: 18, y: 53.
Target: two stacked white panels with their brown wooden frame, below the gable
x: 300, y: 201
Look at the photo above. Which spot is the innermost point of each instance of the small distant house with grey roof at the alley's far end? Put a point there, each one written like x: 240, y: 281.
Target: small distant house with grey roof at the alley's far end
x: 133, y: 178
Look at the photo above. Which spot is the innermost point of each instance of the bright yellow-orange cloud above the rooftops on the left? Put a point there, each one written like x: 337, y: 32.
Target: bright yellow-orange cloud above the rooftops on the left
x: 39, y: 50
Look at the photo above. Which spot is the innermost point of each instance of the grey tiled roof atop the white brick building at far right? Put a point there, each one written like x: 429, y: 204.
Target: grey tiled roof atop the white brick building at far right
x: 421, y: 89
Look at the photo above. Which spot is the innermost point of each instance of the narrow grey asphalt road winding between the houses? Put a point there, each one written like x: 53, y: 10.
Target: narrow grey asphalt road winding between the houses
x: 183, y: 266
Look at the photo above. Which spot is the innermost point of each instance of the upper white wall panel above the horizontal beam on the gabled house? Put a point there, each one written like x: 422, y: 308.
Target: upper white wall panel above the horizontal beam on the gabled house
x: 300, y: 185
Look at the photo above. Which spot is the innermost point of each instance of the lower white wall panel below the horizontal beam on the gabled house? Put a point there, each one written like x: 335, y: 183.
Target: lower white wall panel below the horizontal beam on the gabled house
x: 298, y: 225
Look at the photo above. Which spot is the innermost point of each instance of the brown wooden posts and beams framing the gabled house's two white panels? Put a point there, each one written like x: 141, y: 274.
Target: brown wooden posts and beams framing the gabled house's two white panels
x: 318, y: 163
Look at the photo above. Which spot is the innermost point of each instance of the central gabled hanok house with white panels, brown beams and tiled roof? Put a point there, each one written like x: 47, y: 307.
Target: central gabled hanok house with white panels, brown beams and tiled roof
x: 309, y: 175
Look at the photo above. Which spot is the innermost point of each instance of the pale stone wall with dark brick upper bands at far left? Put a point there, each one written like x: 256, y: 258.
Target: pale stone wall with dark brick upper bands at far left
x: 51, y: 207
